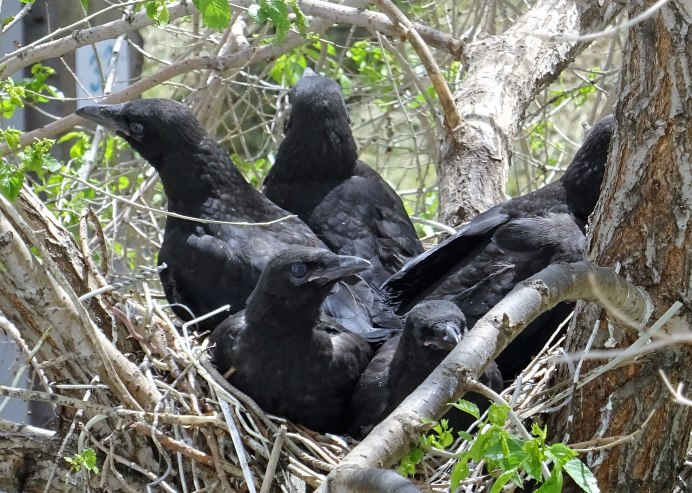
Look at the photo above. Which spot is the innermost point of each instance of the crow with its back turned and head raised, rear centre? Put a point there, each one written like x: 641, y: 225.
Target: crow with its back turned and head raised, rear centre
x: 317, y: 175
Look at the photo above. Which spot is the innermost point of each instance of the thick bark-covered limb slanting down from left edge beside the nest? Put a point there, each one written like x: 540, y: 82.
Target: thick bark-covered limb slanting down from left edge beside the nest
x: 41, y: 302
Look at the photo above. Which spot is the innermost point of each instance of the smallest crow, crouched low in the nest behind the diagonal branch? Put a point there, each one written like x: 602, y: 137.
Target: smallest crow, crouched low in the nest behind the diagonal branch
x: 432, y: 329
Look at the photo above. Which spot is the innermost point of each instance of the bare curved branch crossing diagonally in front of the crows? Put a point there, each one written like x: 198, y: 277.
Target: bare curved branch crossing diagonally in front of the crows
x: 392, y: 438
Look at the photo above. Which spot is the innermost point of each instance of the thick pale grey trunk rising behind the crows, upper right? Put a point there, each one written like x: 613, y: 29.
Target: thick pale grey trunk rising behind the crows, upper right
x: 503, y: 74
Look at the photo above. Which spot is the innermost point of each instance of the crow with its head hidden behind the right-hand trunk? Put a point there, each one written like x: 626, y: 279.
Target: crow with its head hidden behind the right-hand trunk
x: 508, y: 243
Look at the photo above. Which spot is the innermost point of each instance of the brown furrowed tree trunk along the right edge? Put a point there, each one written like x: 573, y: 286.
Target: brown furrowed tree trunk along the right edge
x: 644, y: 222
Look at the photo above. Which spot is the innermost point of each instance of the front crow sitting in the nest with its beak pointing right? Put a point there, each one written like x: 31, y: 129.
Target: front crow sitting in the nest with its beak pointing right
x: 280, y: 351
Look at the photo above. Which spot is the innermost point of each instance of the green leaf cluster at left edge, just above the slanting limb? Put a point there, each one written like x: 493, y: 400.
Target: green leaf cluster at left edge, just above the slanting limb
x: 33, y: 158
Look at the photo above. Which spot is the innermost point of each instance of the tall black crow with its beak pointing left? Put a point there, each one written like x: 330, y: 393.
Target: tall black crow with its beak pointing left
x: 211, y: 264
